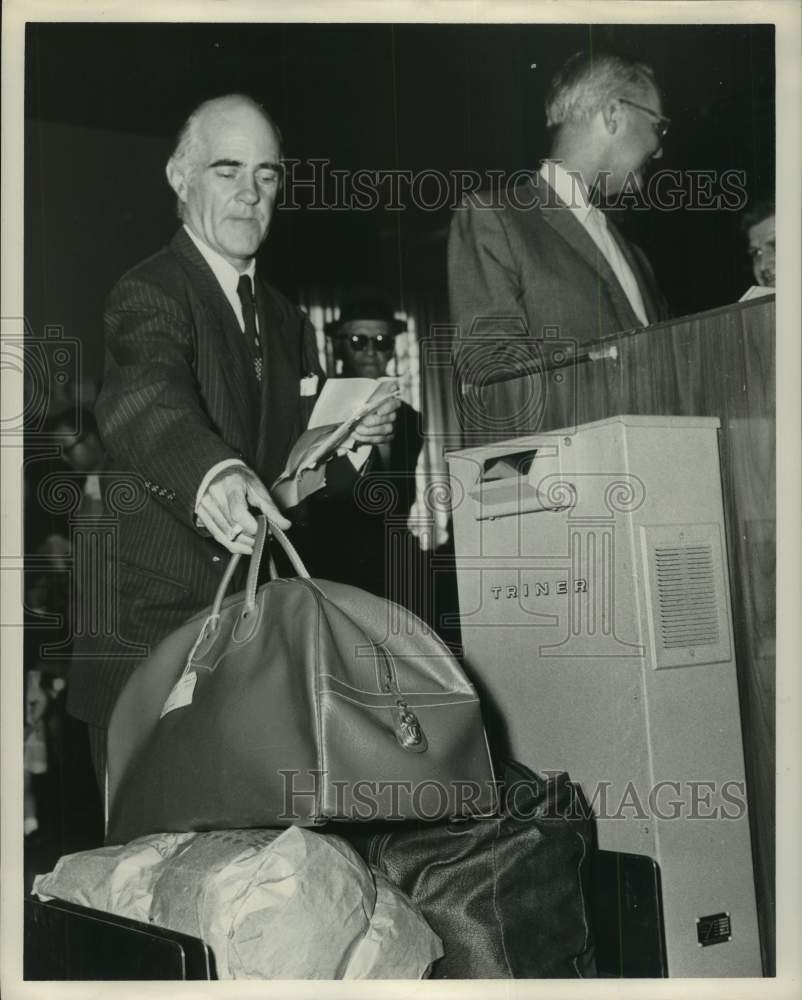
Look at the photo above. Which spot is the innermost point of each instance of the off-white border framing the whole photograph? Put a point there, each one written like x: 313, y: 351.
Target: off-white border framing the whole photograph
x: 785, y: 14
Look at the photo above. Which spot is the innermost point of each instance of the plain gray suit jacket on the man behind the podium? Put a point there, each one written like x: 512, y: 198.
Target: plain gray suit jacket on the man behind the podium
x: 523, y: 269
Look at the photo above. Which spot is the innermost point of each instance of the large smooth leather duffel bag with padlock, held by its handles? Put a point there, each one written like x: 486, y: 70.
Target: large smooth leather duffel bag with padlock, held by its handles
x: 297, y: 702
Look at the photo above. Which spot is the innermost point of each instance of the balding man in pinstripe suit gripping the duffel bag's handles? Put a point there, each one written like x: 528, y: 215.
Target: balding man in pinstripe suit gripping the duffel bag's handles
x: 209, y: 380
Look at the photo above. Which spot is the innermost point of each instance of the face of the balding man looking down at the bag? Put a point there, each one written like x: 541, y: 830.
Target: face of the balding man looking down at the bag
x: 230, y: 188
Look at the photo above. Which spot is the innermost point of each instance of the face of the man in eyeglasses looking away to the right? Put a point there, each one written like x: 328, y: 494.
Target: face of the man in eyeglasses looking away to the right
x: 636, y: 141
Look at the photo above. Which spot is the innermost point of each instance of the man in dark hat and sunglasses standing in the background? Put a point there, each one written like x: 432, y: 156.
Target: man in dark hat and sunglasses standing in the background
x: 354, y: 530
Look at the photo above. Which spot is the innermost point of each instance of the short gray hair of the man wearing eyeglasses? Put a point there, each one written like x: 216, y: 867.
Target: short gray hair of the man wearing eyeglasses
x: 588, y: 81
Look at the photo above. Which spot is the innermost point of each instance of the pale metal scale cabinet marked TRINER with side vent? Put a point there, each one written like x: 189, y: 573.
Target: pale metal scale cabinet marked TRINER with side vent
x: 596, y: 622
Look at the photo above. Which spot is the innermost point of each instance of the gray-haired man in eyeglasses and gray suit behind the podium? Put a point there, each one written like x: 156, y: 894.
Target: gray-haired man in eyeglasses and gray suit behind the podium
x: 542, y: 258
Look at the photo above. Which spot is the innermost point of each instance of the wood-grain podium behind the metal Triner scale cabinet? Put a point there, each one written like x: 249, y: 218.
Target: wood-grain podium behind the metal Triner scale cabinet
x: 719, y: 364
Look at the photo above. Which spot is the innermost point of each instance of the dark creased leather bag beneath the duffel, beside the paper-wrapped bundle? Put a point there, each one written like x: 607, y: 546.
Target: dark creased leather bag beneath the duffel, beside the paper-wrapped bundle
x: 507, y: 895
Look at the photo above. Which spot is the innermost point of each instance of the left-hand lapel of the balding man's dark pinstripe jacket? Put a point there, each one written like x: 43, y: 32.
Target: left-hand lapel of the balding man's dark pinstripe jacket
x: 230, y: 348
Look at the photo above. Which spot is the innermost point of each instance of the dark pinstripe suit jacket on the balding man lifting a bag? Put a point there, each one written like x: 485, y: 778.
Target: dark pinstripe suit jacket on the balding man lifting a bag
x: 179, y: 395
